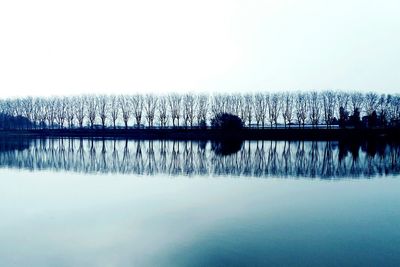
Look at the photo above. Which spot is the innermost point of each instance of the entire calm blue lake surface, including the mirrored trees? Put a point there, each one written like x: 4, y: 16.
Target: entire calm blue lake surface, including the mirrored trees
x: 152, y: 203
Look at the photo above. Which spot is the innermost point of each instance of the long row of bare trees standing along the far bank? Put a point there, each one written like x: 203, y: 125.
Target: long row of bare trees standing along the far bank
x: 194, y: 110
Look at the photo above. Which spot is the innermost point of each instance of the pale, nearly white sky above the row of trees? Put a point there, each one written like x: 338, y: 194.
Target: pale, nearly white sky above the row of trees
x: 79, y: 47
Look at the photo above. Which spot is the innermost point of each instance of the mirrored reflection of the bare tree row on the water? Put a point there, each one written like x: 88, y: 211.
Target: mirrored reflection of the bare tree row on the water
x: 255, y: 158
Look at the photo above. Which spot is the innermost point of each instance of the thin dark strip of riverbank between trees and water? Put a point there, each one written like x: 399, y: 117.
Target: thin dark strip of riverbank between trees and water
x: 213, y: 134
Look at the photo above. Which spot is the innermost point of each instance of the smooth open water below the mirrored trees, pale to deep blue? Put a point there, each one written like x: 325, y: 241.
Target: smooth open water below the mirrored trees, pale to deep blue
x: 67, y: 219
